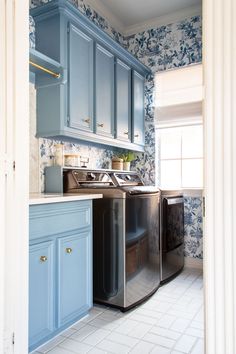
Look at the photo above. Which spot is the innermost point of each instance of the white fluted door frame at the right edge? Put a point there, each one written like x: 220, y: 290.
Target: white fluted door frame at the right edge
x: 219, y: 38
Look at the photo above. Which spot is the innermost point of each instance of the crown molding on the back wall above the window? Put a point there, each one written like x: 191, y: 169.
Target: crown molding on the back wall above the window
x: 163, y: 20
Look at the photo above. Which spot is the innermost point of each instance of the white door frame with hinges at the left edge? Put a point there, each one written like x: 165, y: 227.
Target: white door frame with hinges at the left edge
x: 14, y: 147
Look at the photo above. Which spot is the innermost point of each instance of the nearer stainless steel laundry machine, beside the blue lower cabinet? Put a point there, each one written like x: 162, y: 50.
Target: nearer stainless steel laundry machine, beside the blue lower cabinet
x: 126, y: 257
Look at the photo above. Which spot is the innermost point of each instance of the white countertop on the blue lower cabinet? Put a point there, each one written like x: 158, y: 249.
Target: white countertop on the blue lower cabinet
x: 44, y: 198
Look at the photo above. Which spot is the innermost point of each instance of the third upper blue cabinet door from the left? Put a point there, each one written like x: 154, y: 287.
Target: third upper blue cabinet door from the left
x: 123, y: 101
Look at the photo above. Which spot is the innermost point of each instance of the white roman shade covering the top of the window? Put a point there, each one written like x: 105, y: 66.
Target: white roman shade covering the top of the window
x: 178, y: 96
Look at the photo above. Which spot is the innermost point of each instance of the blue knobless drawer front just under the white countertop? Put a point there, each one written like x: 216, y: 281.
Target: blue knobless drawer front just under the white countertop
x: 56, y: 218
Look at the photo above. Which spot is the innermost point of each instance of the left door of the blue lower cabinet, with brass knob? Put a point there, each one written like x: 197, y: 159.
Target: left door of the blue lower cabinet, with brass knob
x: 41, y: 285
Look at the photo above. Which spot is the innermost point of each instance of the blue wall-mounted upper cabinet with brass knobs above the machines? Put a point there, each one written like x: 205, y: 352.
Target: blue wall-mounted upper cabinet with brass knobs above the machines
x: 93, y: 99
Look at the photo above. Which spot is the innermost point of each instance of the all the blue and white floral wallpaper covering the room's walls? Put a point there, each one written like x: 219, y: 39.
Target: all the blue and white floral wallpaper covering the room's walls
x: 161, y: 48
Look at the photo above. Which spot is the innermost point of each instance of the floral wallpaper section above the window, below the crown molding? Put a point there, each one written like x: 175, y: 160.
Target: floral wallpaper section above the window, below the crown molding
x: 167, y: 47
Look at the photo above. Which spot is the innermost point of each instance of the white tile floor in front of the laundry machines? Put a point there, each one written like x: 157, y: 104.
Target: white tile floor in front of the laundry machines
x: 170, y: 322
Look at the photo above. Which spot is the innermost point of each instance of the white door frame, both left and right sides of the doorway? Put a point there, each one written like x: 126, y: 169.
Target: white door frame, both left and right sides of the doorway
x: 220, y: 175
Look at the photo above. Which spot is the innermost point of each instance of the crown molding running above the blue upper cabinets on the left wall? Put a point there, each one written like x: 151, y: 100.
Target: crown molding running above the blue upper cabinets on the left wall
x: 106, y: 14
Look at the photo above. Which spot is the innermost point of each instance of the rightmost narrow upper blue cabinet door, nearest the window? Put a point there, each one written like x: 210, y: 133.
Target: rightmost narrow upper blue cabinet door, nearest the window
x: 138, y: 109
